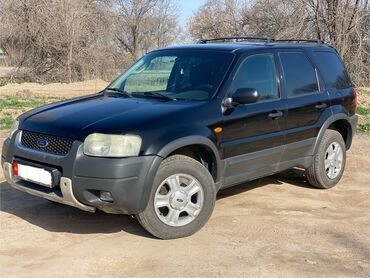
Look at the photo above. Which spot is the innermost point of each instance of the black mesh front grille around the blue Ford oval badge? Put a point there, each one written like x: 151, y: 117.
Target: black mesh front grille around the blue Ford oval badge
x: 55, y: 145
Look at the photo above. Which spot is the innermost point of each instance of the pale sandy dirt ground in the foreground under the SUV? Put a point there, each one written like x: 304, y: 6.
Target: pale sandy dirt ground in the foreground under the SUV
x: 274, y: 227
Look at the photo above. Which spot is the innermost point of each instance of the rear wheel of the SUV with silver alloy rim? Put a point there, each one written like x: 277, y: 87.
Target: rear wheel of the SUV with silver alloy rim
x: 319, y: 175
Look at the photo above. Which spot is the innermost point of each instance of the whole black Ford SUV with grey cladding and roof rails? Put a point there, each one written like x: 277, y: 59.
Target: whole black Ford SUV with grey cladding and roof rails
x: 184, y: 122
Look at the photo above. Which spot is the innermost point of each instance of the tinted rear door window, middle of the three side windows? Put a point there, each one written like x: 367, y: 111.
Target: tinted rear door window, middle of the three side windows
x: 300, y: 77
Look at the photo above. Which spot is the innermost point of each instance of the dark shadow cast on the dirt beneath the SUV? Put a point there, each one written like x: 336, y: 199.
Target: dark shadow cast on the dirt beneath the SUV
x: 56, y: 217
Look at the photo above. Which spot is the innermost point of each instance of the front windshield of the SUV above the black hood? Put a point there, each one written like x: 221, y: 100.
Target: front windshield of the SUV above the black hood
x: 181, y: 75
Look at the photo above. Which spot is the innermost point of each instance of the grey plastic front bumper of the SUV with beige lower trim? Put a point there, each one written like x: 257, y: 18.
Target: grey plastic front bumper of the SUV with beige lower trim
x: 129, y: 180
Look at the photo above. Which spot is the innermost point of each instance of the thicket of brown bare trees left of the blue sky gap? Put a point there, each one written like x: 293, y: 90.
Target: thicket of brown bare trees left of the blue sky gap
x: 68, y: 40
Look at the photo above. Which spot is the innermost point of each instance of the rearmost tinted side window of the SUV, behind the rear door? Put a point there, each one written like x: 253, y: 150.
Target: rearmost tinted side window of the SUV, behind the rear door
x: 332, y: 70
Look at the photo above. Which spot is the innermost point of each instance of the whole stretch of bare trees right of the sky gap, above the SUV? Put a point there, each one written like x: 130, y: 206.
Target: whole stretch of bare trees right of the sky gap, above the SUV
x: 343, y: 23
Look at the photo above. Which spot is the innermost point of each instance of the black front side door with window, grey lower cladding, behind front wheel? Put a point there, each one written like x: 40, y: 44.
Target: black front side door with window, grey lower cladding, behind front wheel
x: 252, y: 133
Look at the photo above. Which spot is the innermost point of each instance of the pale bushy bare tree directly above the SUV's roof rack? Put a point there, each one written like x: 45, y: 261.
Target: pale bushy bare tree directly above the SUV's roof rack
x: 217, y: 18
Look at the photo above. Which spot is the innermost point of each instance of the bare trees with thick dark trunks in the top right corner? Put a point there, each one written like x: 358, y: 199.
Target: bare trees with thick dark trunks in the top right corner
x: 345, y: 24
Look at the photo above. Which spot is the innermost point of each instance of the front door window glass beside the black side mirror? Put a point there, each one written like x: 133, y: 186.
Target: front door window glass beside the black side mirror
x: 257, y: 72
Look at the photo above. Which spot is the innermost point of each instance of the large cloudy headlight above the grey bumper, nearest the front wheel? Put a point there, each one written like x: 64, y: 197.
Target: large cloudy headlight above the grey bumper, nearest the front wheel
x: 106, y: 145
